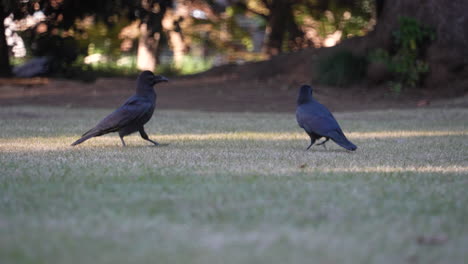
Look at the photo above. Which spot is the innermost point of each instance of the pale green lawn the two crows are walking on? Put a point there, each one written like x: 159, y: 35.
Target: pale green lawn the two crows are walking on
x: 234, y: 188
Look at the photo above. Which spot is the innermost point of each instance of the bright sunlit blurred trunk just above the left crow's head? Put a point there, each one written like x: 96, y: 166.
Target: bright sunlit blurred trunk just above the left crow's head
x: 147, y: 48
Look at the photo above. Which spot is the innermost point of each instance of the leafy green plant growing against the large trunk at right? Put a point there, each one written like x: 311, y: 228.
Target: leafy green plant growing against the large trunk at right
x: 406, y: 62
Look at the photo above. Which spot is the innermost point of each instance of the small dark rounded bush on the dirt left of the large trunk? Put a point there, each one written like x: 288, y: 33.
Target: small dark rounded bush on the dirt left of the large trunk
x: 341, y: 68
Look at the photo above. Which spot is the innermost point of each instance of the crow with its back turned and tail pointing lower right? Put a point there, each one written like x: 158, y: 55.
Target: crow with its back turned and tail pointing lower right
x: 317, y: 121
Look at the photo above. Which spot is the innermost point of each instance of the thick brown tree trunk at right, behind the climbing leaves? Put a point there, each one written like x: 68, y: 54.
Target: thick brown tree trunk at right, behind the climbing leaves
x: 447, y: 55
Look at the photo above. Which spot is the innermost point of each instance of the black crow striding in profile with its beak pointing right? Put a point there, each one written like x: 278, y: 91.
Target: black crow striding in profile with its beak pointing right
x: 133, y: 114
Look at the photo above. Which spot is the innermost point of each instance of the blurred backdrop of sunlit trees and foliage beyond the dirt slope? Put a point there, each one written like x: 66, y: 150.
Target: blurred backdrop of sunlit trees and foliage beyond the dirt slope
x: 187, y: 35
